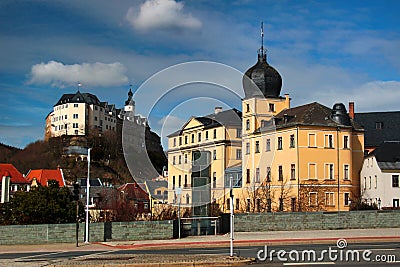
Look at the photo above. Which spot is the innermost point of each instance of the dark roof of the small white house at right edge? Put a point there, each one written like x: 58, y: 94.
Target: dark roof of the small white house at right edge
x: 387, y: 155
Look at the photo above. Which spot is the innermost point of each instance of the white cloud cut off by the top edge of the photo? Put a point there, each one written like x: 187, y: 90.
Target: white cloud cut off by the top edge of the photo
x: 161, y: 14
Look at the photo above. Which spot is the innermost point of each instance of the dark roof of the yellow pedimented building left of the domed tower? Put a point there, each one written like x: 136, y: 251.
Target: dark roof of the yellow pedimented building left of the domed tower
x: 230, y: 117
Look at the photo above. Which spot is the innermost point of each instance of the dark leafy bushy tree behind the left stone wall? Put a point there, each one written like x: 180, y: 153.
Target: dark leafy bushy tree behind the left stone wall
x: 42, y: 205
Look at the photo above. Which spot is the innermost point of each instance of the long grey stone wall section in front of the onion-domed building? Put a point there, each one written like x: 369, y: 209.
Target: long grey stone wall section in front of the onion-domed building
x: 288, y: 221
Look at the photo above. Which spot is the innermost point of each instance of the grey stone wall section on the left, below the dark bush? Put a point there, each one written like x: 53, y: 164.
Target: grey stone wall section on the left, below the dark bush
x: 98, y: 232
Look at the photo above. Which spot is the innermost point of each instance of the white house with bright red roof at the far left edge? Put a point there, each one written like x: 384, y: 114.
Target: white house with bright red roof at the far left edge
x: 11, y: 181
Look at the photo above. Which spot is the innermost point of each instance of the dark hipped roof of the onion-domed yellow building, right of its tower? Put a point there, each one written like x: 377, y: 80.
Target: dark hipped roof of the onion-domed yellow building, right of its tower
x: 311, y: 114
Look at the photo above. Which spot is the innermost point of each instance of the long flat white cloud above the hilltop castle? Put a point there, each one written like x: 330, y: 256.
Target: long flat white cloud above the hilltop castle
x: 96, y: 74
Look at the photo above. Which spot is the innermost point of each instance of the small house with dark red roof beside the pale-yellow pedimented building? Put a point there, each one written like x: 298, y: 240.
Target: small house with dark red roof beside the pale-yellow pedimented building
x: 139, y: 197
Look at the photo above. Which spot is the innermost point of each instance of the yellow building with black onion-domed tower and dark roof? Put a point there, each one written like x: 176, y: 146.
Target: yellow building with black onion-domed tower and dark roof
x: 305, y: 158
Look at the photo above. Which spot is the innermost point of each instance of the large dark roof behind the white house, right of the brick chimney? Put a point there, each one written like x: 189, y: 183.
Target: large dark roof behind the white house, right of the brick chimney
x: 388, y: 128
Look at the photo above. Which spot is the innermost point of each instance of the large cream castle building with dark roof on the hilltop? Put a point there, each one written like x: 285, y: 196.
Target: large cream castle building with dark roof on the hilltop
x: 80, y: 114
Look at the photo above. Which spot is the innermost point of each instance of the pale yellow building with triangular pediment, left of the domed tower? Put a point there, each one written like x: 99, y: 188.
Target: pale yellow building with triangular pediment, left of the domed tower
x: 219, y: 134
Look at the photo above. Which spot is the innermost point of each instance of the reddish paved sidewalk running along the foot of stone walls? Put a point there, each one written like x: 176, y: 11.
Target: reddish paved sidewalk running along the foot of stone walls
x: 240, y: 239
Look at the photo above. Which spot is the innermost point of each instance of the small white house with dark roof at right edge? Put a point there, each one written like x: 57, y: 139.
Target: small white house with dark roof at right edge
x: 380, y: 176
